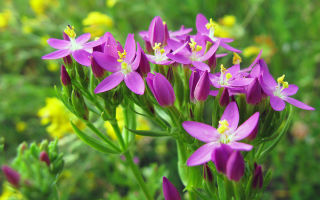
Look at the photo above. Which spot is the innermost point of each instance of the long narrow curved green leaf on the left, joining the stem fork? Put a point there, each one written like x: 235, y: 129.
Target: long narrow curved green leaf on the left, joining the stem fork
x: 94, y: 143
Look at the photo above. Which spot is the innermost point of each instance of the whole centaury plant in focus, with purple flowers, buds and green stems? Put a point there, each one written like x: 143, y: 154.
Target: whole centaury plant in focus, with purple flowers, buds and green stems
x: 225, y: 120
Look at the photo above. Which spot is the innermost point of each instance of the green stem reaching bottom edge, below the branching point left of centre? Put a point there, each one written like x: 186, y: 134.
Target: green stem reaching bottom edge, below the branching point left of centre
x: 137, y: 175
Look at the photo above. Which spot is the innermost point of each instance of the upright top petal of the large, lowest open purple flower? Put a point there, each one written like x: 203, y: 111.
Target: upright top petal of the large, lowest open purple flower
x: 231, y: 114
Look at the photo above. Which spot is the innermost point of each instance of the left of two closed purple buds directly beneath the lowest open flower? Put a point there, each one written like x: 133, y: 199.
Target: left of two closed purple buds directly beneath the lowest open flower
x: 220, y: 157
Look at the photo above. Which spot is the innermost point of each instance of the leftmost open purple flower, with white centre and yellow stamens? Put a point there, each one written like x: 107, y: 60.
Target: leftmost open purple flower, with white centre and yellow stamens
x: 79, y: 47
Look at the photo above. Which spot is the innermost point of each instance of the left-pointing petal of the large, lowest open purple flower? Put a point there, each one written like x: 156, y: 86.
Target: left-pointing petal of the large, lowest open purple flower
x: 201, y: 131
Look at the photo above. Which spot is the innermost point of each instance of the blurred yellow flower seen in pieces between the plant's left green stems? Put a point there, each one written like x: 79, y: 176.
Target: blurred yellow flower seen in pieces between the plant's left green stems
x: 142, y: 124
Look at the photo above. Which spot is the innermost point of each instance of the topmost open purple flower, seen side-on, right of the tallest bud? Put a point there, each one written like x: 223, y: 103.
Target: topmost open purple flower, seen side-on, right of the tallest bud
x: 206, y: 28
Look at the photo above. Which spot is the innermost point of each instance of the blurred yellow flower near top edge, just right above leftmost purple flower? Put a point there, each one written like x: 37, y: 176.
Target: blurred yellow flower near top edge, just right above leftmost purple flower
x: 97, y: 24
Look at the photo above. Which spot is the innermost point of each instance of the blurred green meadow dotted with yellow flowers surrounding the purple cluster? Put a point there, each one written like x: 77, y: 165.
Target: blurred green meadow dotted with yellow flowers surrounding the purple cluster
x: 288, y: 32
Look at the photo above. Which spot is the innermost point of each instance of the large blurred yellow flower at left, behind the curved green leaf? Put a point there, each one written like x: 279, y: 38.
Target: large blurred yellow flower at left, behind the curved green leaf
x: 58, y: 117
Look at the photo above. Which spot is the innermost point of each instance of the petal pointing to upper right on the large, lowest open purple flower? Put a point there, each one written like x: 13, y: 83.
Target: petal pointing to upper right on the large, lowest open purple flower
x: 246, y: 127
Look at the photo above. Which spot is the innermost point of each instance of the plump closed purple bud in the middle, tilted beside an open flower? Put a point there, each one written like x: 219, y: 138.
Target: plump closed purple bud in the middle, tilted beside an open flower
x: 161, y: 89
